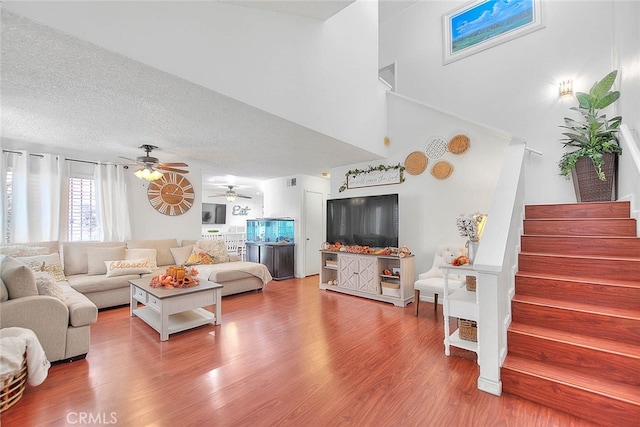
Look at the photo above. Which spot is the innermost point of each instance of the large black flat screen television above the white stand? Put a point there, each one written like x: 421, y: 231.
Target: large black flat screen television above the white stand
x: 366, y: 221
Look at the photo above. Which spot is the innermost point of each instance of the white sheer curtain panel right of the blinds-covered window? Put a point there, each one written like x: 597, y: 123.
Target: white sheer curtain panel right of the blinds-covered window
x: 111, y: 203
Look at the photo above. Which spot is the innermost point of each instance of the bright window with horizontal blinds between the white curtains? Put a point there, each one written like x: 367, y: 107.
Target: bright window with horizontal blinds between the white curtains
x: 83, y: 221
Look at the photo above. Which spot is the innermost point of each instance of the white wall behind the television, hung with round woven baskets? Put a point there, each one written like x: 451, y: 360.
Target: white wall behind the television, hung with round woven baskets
x: 429, y: 206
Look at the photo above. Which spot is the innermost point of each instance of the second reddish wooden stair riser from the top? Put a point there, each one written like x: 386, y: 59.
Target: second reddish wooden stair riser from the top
x: 581, y: 227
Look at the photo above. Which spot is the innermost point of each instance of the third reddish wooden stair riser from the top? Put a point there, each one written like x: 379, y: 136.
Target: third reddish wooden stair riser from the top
x: 577, y: 245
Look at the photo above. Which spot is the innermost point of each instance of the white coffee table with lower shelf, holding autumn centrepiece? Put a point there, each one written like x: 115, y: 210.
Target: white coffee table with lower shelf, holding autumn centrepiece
x: 174, y: 310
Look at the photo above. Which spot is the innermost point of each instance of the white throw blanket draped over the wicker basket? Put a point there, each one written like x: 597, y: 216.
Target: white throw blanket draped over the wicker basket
x: 13, y: 343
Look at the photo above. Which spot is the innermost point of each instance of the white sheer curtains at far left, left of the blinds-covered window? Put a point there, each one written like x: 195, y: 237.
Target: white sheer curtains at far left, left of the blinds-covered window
x: 36, y: 199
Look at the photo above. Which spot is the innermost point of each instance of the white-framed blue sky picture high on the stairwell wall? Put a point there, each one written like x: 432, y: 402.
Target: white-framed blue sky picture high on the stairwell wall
x: 482, y: 24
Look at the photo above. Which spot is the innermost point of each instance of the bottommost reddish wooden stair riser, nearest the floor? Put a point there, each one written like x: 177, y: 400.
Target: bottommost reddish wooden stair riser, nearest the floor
x: 582, y: 403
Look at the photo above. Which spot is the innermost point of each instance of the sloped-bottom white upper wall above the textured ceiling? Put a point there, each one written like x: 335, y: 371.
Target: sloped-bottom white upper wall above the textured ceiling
x: 322, y: 75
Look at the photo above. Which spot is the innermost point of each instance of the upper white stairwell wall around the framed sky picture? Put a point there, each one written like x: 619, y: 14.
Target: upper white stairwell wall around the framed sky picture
x: 514, y: 86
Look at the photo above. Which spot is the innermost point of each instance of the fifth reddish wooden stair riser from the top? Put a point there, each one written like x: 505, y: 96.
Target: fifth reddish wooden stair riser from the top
x: 623, y: 297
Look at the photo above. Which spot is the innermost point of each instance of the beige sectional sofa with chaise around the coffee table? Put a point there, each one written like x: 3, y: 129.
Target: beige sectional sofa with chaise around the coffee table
x: 62, y: 324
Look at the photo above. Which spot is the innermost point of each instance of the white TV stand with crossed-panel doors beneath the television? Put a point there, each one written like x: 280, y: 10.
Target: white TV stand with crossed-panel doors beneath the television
x: 361, y: 275
